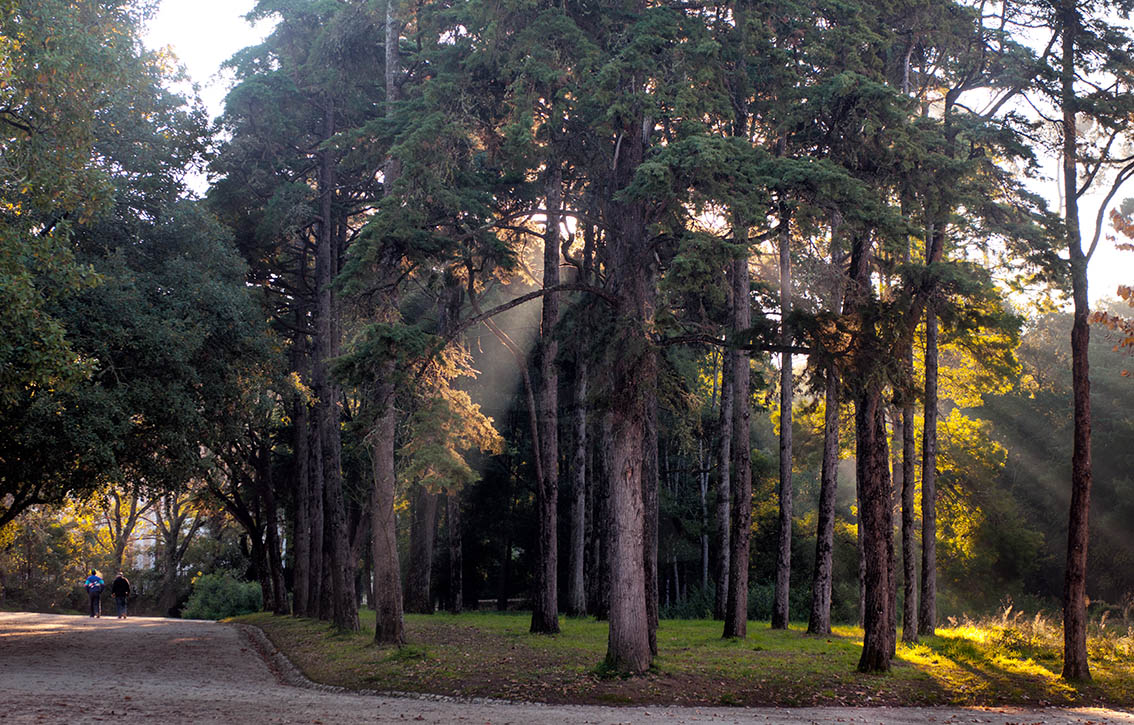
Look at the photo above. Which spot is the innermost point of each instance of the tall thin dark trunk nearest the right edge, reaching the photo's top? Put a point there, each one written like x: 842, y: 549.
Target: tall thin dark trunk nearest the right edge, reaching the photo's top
x: 1076, y: 661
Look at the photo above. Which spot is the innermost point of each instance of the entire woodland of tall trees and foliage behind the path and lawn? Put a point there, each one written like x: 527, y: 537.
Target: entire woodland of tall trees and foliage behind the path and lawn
x: 634, y: 310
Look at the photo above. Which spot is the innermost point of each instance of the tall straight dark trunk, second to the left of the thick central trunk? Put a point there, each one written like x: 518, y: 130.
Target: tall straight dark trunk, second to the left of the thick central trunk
x: 546, y: 600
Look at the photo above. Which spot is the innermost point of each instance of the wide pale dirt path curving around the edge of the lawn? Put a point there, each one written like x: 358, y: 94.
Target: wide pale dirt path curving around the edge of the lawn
x: 77, y: 670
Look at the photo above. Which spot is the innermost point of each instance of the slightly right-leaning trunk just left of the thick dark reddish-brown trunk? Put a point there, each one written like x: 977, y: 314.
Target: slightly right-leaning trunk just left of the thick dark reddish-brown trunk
x: 820, y: 620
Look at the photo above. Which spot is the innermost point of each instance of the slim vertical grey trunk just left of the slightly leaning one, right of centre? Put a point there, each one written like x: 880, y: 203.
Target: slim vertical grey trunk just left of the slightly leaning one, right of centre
x: 784, y: 542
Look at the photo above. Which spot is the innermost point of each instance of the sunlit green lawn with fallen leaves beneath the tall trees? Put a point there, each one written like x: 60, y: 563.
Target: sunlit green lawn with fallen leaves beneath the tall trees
x: 997, y: 662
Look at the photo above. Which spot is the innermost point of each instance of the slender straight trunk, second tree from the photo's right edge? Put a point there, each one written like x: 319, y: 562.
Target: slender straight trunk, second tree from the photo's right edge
x: 927, y: 618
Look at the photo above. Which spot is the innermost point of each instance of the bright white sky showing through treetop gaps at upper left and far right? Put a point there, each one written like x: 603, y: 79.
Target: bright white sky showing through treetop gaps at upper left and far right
x: 206, y: 33
